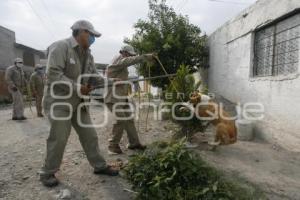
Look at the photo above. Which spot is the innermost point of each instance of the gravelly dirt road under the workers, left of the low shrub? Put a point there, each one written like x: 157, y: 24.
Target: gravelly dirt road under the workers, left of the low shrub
x: 22, y: 147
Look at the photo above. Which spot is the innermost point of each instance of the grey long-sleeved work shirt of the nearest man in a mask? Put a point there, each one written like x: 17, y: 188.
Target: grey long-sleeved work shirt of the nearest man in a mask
x: 65, y: 64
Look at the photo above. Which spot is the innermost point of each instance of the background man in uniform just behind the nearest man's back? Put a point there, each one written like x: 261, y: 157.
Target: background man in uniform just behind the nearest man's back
x: 37, y: 80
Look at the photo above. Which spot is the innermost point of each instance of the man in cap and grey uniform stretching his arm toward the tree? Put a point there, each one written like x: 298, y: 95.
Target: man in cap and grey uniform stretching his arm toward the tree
x: 119, y: 105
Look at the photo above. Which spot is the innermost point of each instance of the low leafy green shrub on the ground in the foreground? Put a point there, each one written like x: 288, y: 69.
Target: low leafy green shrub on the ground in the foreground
x: 171, y: 172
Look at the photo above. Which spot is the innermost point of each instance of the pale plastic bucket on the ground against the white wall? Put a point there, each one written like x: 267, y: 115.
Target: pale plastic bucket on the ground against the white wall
x: 244, y: 129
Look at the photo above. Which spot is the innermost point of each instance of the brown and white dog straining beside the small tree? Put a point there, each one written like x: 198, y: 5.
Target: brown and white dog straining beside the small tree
x: 226, y: 132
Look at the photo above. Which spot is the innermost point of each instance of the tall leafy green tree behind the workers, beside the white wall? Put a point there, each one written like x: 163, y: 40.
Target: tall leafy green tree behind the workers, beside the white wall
x: 170, y: 35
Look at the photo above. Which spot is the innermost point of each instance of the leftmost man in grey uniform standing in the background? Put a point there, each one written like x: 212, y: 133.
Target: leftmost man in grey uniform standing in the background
x: 15, y: 79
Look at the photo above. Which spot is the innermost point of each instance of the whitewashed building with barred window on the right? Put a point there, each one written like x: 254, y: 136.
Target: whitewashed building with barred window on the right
x: 255, y: 58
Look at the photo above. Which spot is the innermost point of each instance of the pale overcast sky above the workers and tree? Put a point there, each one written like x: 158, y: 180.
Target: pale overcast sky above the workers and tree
x: 38, y: 23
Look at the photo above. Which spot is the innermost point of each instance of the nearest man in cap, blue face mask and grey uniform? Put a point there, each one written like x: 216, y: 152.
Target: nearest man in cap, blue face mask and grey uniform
x: 67, y: 60
